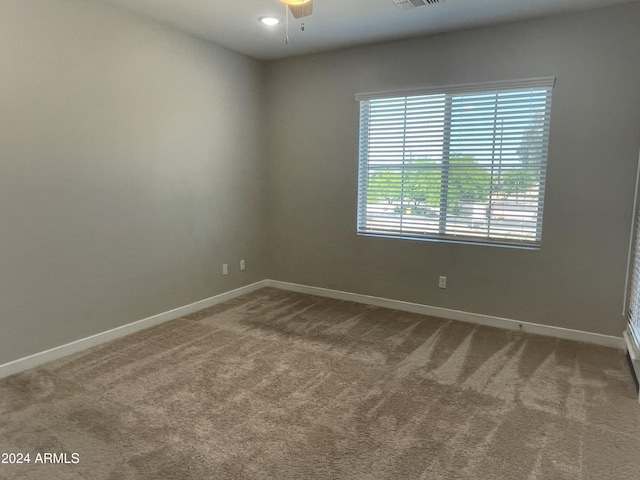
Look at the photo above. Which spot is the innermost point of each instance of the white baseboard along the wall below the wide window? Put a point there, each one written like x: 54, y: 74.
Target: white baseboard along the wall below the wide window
x: 506, y: 323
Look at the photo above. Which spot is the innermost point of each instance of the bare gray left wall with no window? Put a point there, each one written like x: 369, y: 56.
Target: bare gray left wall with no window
x: 131, y: 169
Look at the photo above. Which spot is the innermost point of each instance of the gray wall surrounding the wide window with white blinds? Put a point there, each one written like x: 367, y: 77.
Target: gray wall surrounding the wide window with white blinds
x: 577, y: 278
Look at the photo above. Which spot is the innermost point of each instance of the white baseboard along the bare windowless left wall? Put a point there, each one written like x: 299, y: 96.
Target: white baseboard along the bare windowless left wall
x: 55, y: 353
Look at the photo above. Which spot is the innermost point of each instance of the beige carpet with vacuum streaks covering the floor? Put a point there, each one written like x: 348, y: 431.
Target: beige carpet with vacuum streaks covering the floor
x: 281, y: 385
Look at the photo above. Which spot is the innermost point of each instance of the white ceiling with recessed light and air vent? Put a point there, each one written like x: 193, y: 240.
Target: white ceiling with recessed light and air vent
x: 337, y: 23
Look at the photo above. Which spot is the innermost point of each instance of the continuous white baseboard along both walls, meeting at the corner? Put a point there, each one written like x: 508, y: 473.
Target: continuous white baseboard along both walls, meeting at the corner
x: 41, y: 358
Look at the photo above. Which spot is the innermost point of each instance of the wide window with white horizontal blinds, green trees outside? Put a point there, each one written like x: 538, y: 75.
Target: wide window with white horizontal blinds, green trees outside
x: 463, y: 164
